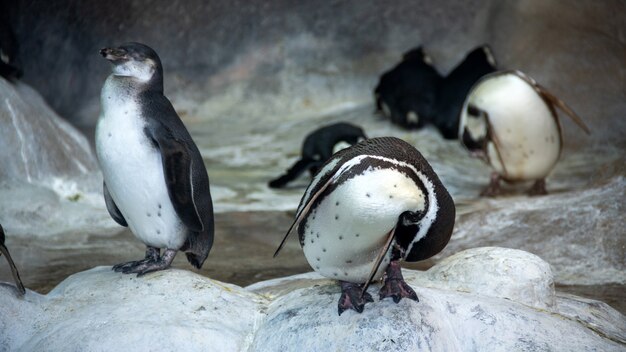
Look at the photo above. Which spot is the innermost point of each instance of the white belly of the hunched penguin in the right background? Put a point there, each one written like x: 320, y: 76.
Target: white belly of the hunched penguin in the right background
x: 528, y: 141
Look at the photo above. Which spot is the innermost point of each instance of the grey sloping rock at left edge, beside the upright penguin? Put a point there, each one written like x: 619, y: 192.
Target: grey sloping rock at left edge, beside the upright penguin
x: 36, y: 145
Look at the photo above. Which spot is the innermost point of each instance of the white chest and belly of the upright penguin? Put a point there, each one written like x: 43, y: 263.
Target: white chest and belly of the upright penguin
x: 133, y: 172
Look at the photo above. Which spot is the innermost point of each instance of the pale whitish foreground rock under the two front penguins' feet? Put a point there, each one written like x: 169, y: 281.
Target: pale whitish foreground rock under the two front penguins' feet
x: 179, y: 310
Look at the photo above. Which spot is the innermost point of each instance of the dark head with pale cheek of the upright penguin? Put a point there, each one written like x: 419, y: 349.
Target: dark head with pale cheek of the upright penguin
x: 134, y: 60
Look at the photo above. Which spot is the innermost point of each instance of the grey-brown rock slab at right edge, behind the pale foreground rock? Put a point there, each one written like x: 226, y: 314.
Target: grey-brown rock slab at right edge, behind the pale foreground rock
x: 581, y: 234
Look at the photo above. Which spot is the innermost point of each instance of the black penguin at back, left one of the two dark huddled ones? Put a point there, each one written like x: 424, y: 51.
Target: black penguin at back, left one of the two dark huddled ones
x: 406, y: 94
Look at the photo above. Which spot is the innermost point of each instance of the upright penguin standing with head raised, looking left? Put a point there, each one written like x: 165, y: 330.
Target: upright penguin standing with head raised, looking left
x: 155, y: 181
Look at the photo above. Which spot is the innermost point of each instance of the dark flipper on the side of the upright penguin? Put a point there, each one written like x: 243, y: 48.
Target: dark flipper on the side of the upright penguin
x: 178, y: 171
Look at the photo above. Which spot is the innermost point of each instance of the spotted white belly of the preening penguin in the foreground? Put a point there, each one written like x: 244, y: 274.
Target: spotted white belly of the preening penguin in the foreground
x: 347, y: 230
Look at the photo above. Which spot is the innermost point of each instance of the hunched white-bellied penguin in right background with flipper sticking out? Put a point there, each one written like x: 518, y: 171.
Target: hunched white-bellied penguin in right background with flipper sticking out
x: 511, y: 122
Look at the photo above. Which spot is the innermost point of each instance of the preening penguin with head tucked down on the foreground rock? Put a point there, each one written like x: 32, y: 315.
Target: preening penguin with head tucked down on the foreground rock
x: 369, y: 207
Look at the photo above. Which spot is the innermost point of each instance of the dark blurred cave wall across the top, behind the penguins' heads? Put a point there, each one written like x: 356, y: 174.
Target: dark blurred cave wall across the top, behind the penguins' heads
x: 336, y: 49
